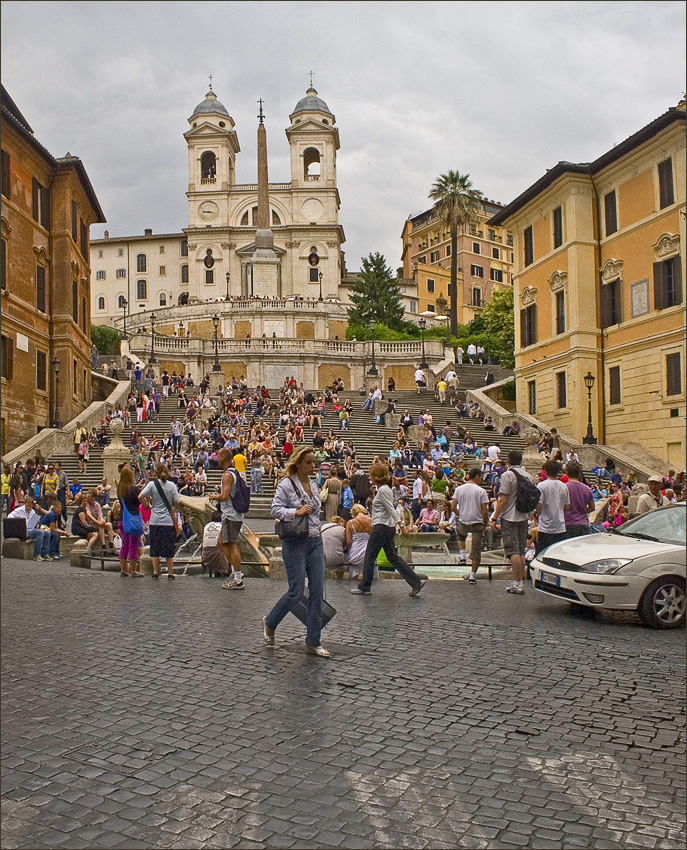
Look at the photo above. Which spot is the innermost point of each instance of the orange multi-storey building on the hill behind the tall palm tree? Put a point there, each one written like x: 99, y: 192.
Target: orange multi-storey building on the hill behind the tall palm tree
x: 485, y: 259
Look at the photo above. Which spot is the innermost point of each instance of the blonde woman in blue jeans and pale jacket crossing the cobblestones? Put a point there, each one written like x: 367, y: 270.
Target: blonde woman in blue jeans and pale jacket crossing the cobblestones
x: 303, y: 553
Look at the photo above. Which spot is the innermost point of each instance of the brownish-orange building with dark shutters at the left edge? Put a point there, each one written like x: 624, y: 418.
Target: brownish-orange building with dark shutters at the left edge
x: 48, y: 206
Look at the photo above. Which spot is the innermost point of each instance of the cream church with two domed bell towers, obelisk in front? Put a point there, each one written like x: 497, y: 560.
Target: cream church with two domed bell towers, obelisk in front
x: 274, y: 240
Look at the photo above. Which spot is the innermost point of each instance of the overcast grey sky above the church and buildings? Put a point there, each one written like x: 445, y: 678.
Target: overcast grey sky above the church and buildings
x: 501, y: 91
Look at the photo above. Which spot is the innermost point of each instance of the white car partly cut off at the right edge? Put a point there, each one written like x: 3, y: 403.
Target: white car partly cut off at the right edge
x: 640, y: 566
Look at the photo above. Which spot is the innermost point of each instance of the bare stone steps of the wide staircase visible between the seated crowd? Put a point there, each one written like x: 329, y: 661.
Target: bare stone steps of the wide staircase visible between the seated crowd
x: 368, y: 438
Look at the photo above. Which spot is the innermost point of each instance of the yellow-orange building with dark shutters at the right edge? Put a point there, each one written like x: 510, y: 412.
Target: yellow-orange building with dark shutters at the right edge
x: 598, y: 288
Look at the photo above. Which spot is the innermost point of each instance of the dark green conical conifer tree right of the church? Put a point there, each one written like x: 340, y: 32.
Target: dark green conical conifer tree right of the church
x: 376, y: 295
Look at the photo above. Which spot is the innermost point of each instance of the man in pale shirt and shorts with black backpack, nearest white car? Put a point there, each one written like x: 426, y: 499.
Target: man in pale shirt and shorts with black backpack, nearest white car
x: 513, y: 521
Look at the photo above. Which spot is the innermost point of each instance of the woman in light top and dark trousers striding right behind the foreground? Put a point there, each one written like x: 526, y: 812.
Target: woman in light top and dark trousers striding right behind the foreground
x: 384, y: 519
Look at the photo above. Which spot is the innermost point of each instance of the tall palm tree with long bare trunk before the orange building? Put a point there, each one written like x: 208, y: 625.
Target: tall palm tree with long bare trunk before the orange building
x: 456, y: 202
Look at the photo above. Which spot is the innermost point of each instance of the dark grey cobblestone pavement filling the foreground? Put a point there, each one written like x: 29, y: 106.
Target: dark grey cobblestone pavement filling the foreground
x: 148, y: 714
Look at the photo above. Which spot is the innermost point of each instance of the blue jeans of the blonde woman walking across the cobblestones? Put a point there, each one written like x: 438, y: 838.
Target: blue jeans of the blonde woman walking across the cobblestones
x: 302, y: 558
